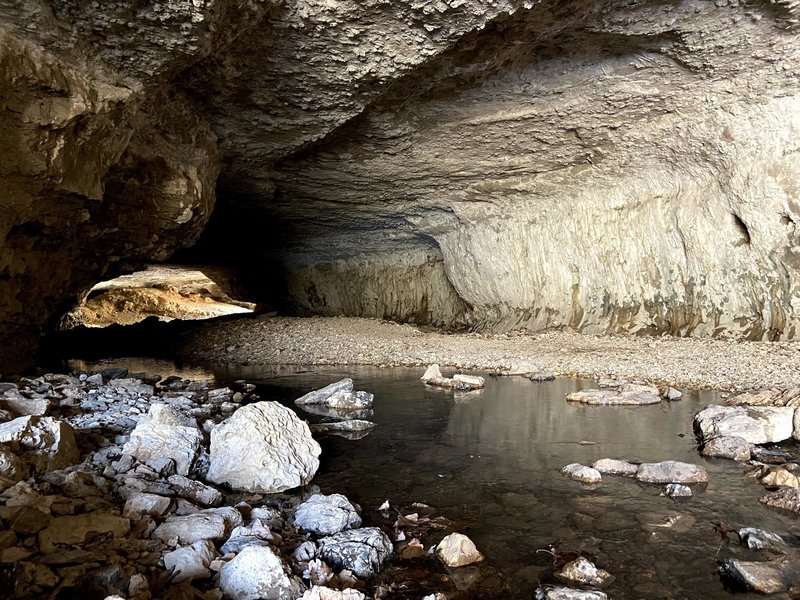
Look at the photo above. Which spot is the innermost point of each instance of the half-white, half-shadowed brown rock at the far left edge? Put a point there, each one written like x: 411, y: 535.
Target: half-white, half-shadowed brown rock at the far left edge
x: 45, y: 443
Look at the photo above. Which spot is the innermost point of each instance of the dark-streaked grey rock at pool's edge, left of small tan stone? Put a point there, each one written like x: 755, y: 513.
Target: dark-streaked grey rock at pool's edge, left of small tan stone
x: 362, y: 551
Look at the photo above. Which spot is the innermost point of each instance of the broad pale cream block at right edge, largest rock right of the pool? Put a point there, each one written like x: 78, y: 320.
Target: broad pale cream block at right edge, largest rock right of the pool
x: 755, y: 424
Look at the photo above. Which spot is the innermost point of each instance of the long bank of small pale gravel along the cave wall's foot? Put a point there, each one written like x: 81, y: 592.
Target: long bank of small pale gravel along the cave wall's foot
x: 692, y: 363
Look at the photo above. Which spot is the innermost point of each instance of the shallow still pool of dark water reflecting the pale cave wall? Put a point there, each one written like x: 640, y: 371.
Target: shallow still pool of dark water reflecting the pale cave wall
x: 491, y: 461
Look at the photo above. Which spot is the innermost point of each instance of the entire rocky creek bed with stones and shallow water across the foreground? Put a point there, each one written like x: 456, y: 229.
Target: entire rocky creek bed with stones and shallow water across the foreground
x: 138, y: 486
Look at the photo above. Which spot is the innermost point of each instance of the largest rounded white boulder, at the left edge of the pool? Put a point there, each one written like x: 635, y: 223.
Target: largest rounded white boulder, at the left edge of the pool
x: 263, y: 448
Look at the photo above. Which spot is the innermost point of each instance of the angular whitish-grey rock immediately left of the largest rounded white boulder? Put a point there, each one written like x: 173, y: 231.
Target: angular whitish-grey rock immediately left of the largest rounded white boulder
x: 165, y: 433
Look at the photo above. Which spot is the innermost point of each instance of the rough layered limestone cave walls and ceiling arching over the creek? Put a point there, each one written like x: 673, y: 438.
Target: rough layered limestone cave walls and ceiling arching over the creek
x: 611, y: 167
